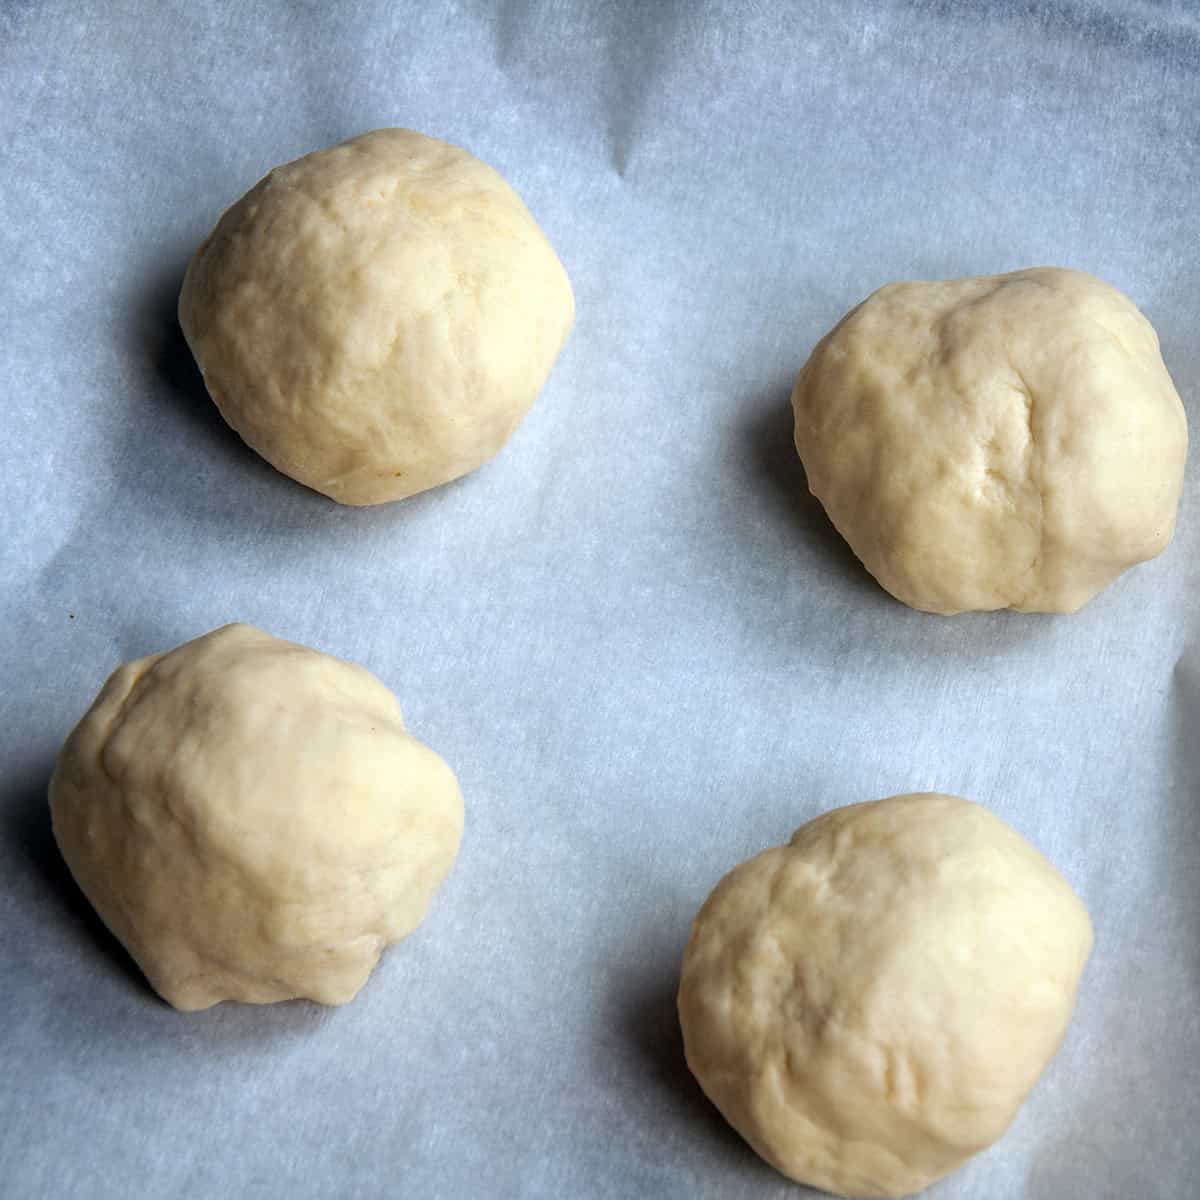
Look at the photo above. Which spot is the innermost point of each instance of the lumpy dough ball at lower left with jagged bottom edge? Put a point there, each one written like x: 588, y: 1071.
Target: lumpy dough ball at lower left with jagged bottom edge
x: 251, y: 820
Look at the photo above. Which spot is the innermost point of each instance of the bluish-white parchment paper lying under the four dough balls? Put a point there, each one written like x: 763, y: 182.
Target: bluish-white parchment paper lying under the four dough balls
x: 634, y: 637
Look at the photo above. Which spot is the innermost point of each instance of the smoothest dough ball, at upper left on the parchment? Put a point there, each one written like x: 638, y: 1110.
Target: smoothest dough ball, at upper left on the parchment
x: 377, y: 319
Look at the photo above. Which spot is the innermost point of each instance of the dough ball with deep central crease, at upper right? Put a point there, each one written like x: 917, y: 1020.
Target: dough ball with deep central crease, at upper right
x: 1006, y: 442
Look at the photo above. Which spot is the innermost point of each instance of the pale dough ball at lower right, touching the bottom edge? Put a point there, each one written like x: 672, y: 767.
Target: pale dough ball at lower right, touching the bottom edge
x: 869, y: 1005
